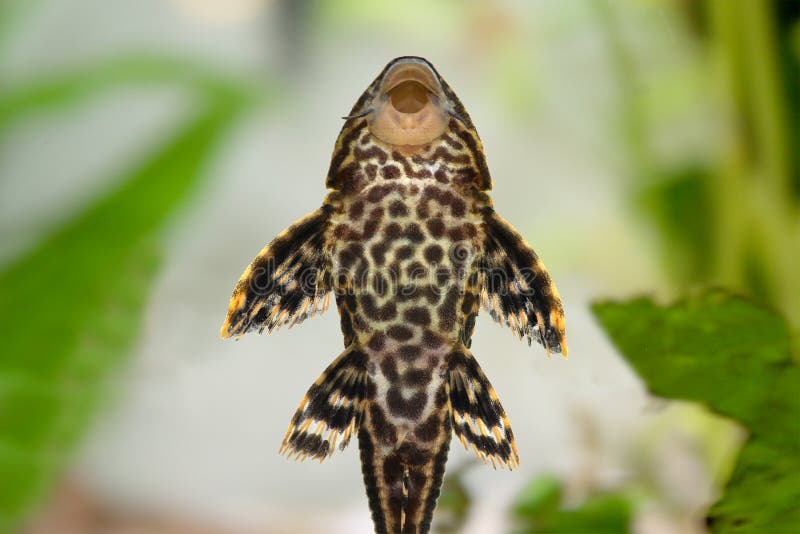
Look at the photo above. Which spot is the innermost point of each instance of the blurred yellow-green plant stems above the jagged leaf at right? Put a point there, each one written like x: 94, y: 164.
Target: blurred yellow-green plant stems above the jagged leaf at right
x: 731, y: 217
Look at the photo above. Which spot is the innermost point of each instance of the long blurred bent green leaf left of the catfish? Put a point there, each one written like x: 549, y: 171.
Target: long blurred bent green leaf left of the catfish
x: 71, y: 307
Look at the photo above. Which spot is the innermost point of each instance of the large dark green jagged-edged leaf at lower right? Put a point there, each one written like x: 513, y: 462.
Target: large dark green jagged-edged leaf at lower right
x: 733, y: 356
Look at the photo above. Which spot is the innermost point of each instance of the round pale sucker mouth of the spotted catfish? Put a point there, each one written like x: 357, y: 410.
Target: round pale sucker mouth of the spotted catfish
x: 409, y: 109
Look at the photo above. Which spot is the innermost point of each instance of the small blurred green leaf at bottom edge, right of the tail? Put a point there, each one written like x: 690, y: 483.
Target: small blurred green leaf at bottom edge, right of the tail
x: 540, y: 509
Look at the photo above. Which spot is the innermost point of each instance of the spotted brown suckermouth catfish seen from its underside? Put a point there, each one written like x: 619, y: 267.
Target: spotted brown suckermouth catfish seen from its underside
x: 408, y: 243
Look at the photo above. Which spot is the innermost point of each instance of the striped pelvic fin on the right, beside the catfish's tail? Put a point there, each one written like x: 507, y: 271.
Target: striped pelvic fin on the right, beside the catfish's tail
x: 478, y: 418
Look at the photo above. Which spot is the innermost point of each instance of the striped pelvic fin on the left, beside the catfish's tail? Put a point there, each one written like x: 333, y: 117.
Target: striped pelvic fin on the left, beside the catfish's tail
x: 331, y: 411
